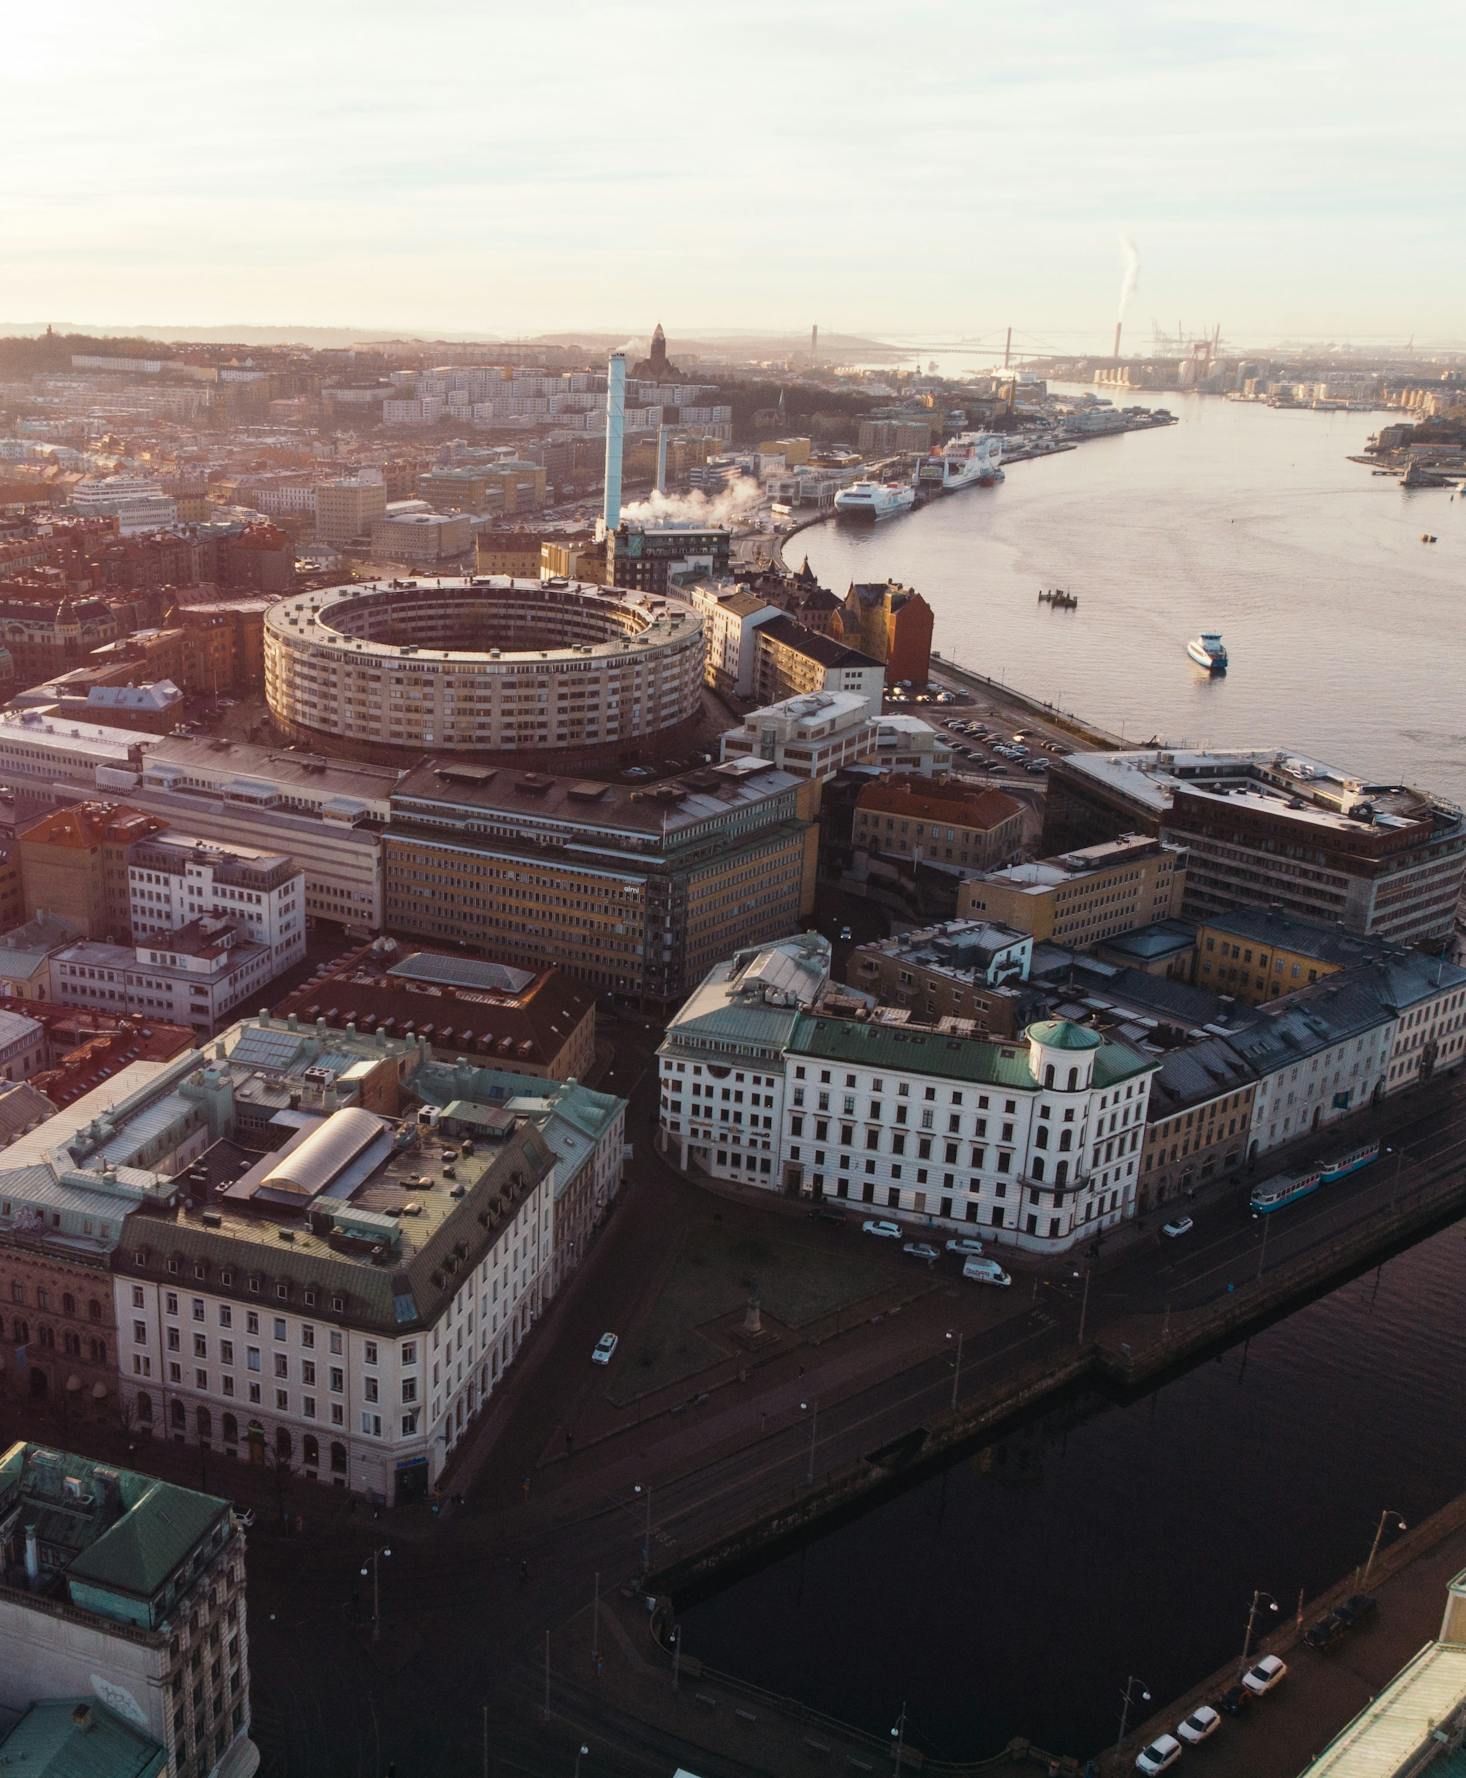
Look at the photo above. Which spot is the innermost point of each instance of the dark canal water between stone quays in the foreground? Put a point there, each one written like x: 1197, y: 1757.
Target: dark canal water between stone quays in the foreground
x: 1016, y: 1592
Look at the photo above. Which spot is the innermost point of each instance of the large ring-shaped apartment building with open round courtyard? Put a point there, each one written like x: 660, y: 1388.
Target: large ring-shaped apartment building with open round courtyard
x: 557, y: 673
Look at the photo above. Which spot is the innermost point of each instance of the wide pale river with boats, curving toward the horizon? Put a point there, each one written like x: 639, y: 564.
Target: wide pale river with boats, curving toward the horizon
x: 1344, y: 629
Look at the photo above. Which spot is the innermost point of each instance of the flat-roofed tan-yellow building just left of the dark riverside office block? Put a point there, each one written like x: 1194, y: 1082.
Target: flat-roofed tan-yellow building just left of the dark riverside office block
x: 1083, y: 897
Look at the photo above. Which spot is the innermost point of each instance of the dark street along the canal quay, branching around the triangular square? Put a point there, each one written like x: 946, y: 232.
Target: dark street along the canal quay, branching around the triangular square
x: 466, y: 1633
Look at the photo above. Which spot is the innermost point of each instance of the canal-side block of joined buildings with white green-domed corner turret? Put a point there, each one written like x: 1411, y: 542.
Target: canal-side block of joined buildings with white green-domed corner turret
x: 774, y: 1080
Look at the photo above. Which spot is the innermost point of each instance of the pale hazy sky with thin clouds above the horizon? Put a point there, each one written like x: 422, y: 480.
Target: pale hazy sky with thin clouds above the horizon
x: 902, y: 166
